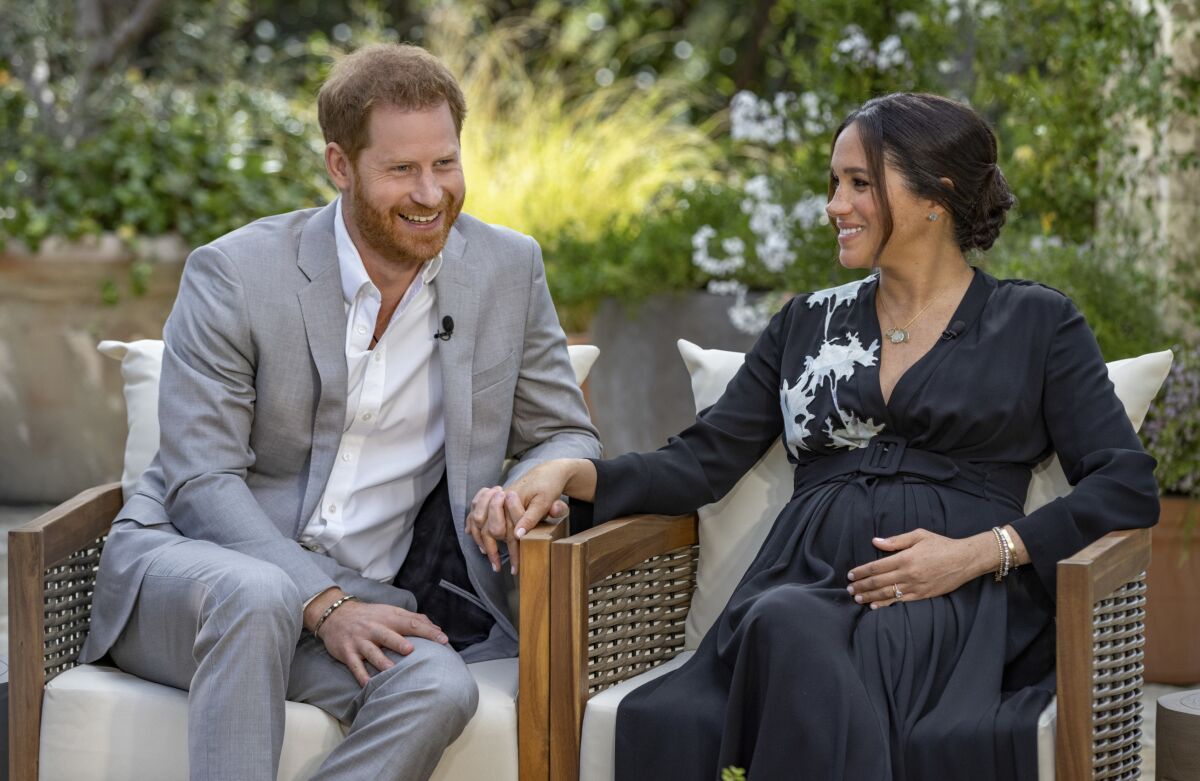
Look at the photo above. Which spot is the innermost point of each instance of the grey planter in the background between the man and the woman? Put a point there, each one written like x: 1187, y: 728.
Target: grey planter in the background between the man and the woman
x: 640, y: 390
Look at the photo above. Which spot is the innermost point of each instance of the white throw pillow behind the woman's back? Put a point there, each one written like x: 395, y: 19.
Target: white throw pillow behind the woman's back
x: 731, y: 531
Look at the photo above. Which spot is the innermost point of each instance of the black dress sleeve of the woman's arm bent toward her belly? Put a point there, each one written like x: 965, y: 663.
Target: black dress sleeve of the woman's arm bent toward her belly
x: 1103, y: 459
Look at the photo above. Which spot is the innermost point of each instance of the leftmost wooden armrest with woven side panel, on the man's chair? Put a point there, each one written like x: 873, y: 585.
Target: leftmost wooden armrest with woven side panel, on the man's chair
x: 52, y: 568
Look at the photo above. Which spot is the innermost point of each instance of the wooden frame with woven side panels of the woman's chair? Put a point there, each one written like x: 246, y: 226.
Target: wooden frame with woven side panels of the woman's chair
x: 601, y: 640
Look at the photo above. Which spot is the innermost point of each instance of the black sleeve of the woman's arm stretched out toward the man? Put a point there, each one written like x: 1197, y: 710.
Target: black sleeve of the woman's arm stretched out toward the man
x: 704, y: 462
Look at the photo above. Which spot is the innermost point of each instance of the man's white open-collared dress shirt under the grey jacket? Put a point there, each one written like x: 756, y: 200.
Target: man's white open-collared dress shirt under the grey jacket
x: 393, y: 449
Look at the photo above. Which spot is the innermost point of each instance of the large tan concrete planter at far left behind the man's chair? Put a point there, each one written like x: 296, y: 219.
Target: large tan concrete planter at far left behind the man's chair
x: 62, y: 410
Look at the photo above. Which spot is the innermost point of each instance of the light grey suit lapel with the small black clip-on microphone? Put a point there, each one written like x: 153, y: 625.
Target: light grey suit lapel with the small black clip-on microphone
x: 458, y: 299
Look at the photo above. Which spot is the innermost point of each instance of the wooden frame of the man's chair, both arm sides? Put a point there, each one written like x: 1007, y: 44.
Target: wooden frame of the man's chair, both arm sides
x: 52, y: 568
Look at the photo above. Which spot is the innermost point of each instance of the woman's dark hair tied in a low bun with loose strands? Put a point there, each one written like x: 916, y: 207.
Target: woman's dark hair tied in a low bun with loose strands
x: 927, y: 139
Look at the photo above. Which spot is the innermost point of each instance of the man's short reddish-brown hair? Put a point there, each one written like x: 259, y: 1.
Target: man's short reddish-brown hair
x: 403, y: 76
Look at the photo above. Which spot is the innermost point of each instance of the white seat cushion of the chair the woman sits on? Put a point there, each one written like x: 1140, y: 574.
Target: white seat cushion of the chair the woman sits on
x: 601, y: 728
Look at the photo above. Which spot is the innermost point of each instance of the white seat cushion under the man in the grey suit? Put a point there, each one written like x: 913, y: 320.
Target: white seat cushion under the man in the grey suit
x: 103, y: 725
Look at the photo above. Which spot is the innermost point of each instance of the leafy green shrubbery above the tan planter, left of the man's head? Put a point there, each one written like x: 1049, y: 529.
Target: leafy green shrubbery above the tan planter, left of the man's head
x: 190, y: 143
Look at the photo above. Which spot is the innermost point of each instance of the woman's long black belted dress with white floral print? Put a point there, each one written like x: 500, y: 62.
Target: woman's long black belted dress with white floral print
x: 795, y: 680
